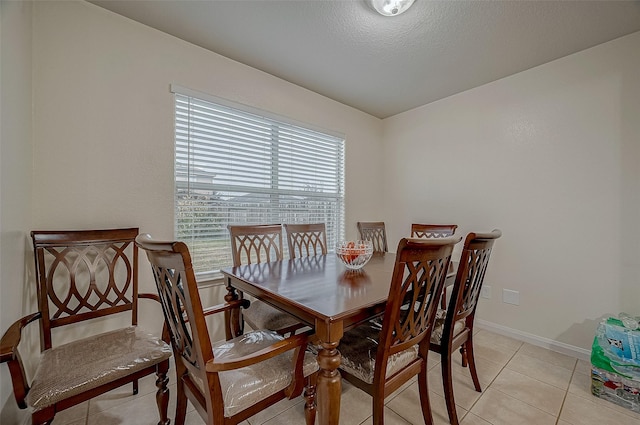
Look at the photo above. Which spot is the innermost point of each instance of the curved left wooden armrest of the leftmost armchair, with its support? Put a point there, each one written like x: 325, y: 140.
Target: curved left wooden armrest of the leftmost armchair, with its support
x: 9, y: 354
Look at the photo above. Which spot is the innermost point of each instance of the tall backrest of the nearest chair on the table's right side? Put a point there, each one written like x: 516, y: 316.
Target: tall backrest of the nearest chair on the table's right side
x: 417, y: 282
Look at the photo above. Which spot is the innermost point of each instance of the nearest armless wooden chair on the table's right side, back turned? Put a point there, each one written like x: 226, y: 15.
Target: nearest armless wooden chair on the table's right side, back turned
x: 383, y: 353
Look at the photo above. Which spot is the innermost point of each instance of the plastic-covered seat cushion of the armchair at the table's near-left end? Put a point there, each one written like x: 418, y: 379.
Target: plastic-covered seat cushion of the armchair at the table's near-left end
x: 242, y: 388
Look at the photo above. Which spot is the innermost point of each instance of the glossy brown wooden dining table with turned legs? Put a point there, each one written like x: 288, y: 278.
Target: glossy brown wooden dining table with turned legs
x: 323, y: 294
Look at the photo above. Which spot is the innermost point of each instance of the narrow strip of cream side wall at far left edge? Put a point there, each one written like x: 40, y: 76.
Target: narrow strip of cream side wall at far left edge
x: 15, y: 175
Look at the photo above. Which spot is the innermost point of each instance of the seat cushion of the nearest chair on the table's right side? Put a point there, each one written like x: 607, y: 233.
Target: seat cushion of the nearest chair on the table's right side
x: 359, y: 346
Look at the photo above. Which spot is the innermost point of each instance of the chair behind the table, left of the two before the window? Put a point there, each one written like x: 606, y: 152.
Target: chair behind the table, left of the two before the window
x: 256, y: 244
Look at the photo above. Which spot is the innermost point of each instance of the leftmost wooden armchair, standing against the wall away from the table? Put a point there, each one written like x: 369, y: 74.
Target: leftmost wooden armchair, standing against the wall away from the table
x: 84, y: 277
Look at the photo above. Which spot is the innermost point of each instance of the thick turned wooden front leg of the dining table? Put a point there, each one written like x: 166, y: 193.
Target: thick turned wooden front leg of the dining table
x: 329, y: 384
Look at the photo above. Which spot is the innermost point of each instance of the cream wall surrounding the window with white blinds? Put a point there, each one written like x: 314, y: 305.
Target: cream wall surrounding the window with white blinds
x: 103, y: 120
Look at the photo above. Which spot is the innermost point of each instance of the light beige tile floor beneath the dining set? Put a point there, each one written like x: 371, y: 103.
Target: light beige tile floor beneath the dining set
x: 522, y: 384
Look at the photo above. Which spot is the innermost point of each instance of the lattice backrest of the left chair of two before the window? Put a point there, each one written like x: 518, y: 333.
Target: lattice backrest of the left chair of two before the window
x: 255, y: 243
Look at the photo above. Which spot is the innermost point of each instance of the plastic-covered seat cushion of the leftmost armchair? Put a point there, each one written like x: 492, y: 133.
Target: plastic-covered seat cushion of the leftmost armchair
x: 88, y: 363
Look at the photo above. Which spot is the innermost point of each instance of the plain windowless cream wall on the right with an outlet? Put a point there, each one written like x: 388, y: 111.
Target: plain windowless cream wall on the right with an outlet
x: 552, y: 157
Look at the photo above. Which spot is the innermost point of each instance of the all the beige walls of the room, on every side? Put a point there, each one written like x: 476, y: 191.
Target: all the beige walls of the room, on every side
x: 560, y: 143
